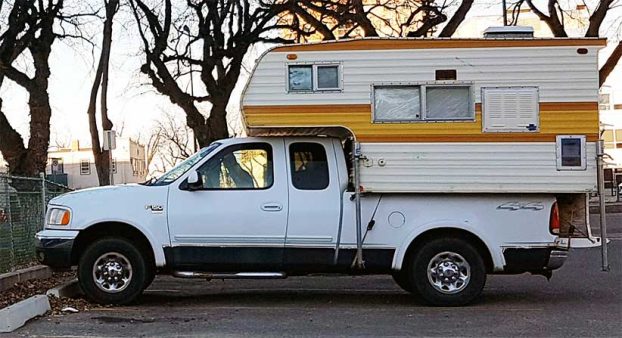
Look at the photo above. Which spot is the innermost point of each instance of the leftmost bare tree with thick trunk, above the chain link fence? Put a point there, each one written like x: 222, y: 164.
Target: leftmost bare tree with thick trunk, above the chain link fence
x: 29, y: 30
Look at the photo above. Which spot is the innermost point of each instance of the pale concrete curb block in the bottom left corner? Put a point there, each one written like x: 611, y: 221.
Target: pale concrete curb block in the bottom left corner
x: 16, y: 315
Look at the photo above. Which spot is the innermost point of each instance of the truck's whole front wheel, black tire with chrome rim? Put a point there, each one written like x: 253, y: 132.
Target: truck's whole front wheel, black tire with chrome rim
x: 112, y: 271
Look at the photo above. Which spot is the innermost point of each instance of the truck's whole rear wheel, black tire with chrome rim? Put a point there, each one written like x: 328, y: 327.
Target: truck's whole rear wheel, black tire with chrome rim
x: 448, y: 272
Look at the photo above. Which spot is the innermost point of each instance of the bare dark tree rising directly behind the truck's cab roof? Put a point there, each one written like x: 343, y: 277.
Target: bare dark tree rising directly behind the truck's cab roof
x: 220, y: 33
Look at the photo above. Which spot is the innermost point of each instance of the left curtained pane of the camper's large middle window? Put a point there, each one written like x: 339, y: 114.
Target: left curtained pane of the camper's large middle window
x: 397, y: 103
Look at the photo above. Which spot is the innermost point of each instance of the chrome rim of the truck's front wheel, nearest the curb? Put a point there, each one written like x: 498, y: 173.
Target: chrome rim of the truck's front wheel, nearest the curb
x: 112, y: 272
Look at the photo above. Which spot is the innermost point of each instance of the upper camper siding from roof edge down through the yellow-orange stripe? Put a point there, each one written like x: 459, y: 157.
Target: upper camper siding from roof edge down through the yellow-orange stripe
x: 567, y: 82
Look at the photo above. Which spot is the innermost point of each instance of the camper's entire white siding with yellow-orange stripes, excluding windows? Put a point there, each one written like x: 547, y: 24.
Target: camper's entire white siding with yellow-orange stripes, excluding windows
x: 444, y: 156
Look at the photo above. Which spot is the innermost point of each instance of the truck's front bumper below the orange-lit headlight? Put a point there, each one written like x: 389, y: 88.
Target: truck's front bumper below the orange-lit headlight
x: 53, y: 247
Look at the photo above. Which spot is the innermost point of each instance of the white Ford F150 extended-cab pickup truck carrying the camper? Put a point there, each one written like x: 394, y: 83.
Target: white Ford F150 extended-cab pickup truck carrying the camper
x: 274, y: 207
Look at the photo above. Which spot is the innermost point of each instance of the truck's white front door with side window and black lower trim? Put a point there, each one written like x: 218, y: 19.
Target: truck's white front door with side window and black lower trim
x: 237, y: 221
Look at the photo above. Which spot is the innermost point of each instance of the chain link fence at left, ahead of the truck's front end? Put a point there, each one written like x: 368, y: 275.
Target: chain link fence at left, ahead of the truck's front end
x: 23, y: 202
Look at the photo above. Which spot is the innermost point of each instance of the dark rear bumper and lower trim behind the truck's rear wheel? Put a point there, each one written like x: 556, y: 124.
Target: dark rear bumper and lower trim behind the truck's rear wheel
x: 536, y: 260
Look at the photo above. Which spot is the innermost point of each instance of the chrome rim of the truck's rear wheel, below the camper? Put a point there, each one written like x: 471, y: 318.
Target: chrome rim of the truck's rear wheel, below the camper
x: 449, y: 272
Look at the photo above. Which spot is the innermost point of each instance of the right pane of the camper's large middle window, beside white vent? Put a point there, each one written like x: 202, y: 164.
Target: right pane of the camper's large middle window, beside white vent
x: 447, y: 103
